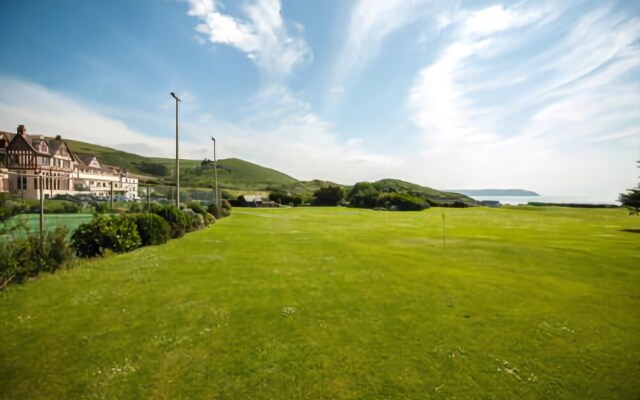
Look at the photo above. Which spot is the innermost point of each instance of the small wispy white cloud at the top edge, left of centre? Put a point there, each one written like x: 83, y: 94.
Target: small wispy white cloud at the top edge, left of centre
x: 263, y: 36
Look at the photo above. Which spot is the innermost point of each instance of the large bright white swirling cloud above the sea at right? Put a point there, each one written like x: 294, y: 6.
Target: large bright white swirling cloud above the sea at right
x: 548, y: 135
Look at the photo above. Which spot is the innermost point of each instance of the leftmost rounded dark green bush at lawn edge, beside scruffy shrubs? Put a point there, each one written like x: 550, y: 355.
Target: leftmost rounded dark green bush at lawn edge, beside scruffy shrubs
x: 118, y: 234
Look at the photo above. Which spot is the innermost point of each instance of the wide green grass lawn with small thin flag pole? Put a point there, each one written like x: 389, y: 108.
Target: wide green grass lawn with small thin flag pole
x: 313, y: 303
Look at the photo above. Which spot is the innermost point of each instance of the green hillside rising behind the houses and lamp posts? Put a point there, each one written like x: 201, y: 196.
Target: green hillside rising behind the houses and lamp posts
x: 238, y: 175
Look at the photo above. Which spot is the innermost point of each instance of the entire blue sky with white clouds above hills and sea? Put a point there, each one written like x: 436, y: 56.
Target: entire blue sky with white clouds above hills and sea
x: 540, y: 95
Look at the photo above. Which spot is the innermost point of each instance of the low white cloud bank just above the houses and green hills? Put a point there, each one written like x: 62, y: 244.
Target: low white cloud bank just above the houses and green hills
x: 288, y: 136
